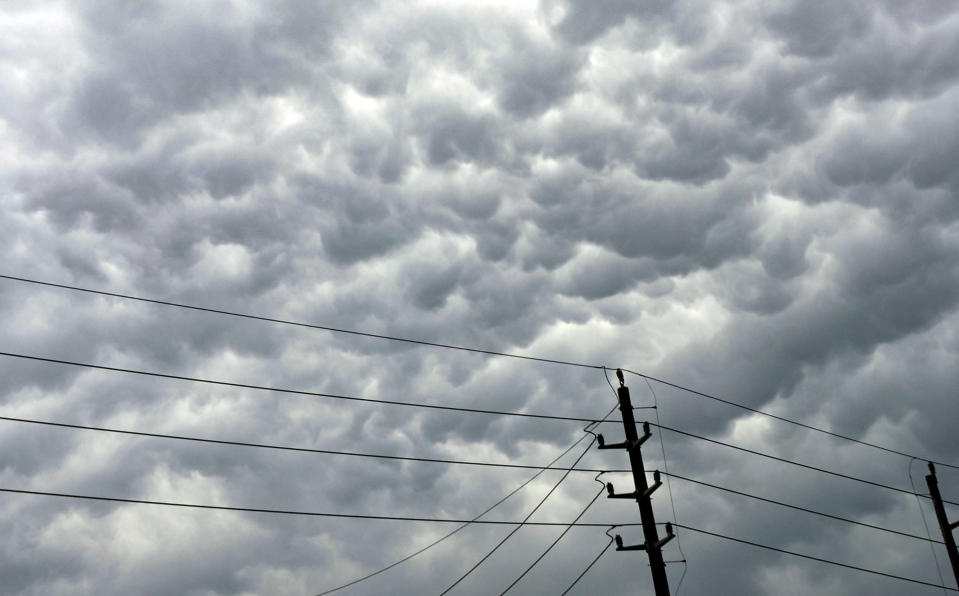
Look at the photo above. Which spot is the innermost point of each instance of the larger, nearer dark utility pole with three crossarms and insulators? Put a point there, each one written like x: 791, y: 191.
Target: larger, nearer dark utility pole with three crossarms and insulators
x: 653, y: 545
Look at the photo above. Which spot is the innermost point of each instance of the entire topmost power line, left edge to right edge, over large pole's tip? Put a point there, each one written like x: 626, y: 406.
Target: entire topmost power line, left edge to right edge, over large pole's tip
x: 459, y: 348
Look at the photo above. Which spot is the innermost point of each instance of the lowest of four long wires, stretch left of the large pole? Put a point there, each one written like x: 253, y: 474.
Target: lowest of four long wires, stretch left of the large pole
x: 306, y: 513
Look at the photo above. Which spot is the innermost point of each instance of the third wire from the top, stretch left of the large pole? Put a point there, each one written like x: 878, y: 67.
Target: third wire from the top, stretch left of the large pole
x: 301, y: 449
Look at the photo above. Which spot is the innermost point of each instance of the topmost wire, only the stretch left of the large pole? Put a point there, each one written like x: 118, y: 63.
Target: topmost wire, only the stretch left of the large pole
x: 298, y: 324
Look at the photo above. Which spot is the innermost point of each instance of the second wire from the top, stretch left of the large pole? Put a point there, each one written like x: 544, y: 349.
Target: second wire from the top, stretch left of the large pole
x: 292, y: 391
